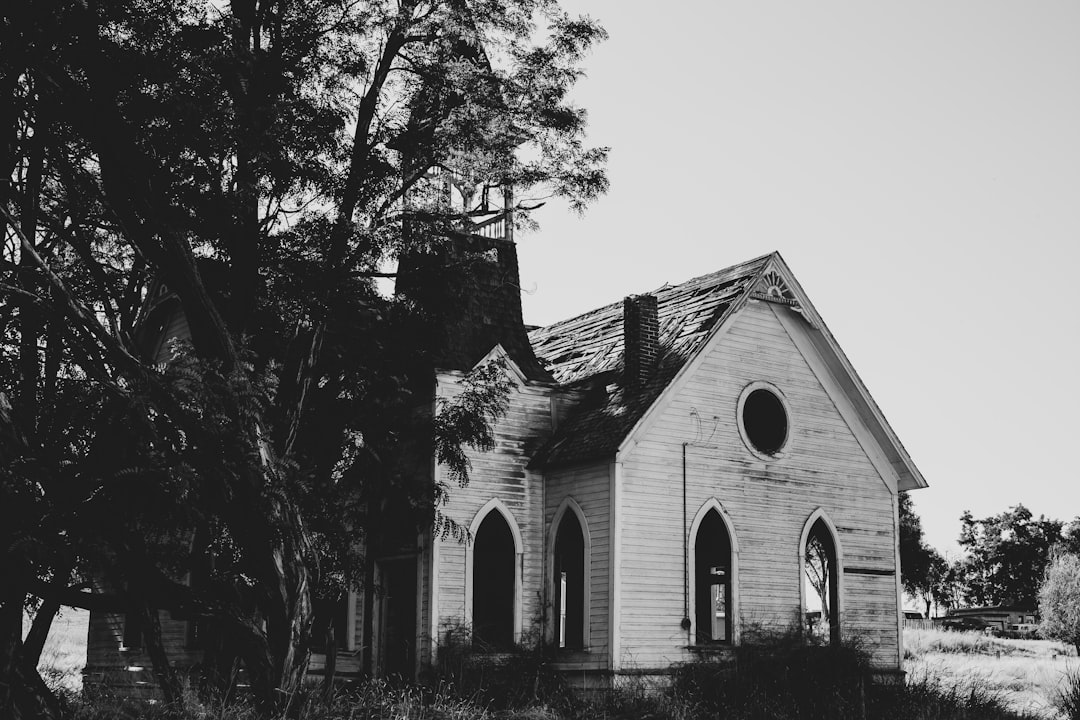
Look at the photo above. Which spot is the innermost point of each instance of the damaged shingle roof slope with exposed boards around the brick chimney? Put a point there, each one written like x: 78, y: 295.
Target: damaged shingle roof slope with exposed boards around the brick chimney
x: 587, y: 351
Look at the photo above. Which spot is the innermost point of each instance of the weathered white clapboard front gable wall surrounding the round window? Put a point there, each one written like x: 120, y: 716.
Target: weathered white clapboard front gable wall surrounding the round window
x: 768, y: 504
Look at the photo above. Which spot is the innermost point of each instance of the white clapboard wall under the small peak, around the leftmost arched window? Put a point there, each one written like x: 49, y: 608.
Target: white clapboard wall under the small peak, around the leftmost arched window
x: 499, y: 474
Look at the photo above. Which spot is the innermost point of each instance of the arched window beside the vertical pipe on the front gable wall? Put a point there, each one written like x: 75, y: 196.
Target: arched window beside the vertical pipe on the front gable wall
x: 713, y: 580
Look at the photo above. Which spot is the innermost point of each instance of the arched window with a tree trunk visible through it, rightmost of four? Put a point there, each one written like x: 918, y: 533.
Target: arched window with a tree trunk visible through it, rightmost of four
x: 822, y: 578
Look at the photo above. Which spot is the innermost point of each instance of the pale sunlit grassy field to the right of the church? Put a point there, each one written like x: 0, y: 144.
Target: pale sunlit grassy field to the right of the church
x: 1027, y: 674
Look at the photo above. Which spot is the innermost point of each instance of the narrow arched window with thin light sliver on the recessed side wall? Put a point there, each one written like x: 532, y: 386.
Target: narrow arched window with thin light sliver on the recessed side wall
x: 570, y: 581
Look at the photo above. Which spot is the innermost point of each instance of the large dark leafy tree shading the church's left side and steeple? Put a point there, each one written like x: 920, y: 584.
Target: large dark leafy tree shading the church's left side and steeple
x: 264, y: 162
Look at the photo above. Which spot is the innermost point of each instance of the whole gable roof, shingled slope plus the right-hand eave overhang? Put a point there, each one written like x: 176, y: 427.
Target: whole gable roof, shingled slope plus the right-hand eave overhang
x: 588, y: 351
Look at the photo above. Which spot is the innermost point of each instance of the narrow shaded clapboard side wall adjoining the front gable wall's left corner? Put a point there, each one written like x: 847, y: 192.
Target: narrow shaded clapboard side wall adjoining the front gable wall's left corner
x: 589, y: 486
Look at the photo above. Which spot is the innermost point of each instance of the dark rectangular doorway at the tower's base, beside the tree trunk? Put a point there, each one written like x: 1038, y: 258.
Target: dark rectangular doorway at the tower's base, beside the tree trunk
x: 398, y: 618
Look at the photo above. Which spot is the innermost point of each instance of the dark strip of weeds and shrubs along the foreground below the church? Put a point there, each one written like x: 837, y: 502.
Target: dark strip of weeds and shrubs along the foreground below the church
x: 777, y: 689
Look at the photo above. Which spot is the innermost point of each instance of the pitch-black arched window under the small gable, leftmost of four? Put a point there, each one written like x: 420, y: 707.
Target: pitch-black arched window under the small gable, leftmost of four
x: 494, y: 580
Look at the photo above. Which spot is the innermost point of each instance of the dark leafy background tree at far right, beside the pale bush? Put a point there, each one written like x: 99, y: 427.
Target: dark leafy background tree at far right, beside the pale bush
x: 1006, y: 555
